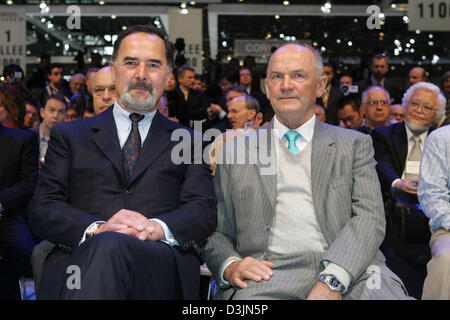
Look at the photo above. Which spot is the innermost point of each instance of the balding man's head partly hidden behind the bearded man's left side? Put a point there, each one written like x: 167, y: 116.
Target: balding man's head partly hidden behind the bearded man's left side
x: 103, y: 89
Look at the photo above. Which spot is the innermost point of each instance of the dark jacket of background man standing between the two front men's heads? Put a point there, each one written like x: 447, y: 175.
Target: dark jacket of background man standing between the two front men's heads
x: 192, y: 109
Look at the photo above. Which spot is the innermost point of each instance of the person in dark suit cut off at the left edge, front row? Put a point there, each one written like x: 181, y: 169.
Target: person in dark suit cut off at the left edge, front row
x: 18, y: 176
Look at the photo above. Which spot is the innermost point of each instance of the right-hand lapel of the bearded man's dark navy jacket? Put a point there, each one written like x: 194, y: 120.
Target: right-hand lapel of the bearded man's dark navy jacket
x: 158, y: 139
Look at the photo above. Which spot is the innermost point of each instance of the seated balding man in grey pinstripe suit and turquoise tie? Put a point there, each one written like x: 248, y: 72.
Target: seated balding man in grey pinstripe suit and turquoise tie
x: 311, y: 228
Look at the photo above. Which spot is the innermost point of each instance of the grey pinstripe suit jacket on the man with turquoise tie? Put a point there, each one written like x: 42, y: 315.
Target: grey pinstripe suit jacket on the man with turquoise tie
x: 347, y: 199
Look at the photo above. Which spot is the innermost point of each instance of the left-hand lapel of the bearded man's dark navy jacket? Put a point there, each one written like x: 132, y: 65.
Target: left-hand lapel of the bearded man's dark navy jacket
x: 106, y: 138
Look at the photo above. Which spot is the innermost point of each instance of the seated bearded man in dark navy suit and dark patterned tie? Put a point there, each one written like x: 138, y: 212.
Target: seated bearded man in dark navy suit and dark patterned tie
x: 124, y: 213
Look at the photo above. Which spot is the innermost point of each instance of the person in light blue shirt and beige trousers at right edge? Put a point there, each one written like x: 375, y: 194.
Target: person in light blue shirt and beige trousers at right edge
x: 434, y: 197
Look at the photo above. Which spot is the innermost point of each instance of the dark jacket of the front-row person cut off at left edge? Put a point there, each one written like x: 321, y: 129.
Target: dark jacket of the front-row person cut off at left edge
x: 18, y: 168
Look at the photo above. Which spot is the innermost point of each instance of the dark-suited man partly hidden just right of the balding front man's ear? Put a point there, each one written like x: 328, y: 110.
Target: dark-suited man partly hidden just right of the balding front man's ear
x: 330, y: 96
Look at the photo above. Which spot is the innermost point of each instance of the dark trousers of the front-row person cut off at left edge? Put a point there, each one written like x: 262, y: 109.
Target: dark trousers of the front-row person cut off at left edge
x: 16, y: 245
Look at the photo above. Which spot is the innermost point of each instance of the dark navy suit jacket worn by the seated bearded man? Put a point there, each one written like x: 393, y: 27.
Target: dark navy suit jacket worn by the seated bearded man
x: 83, y: 181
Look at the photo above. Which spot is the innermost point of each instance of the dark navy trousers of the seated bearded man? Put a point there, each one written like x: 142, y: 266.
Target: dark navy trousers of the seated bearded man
x: 111, y: 265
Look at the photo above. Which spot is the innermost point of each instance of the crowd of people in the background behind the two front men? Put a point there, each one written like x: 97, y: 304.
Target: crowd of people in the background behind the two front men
x: 230, y: 98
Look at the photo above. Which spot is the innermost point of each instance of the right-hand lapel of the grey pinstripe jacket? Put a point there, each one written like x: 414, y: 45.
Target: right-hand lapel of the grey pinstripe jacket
x: 322, y: 159
